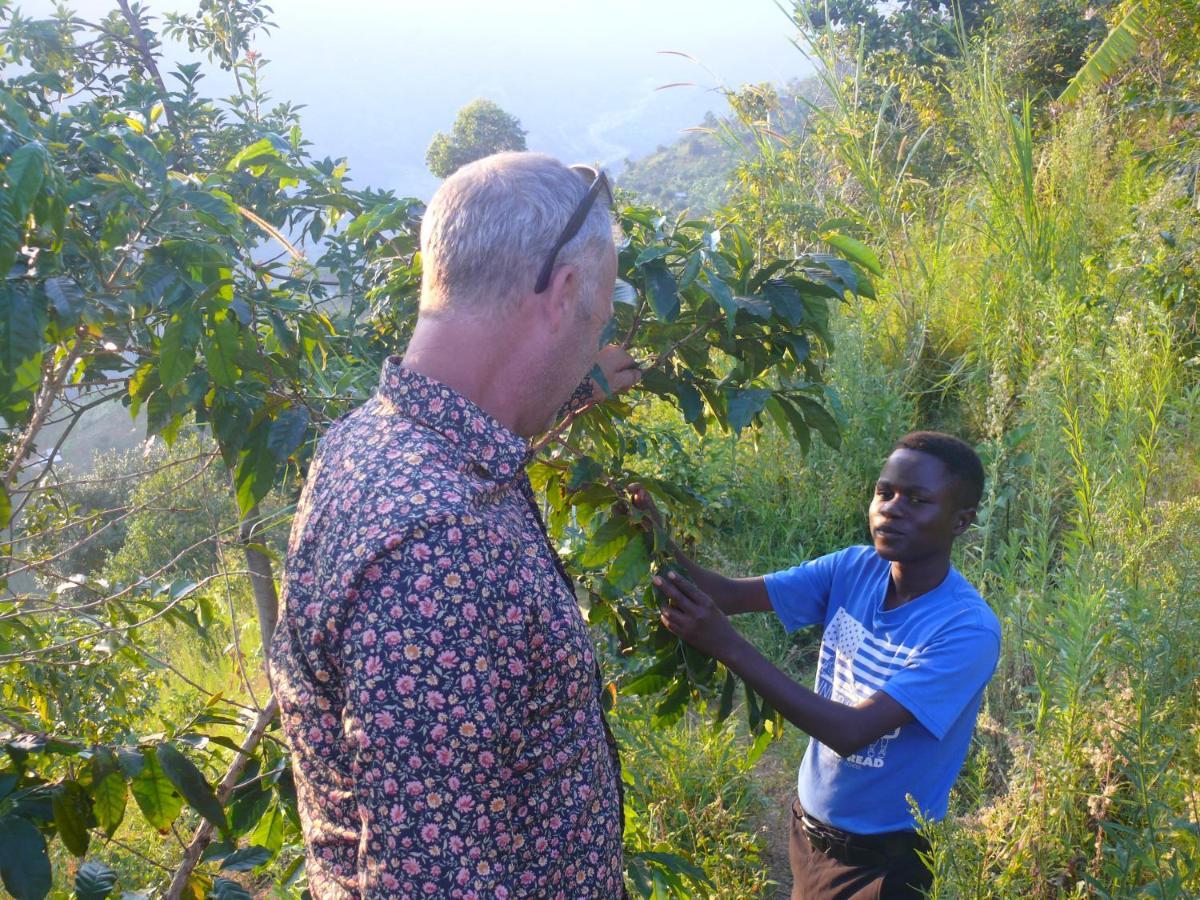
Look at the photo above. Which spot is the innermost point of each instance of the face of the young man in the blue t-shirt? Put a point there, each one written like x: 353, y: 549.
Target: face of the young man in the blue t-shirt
x: 917, y: 511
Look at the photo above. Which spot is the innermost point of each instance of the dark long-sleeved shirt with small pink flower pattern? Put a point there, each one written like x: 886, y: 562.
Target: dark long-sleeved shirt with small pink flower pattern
x: 437, y: 682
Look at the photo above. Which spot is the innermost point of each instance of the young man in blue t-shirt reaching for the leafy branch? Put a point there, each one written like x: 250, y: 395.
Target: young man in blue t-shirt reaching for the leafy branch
x: 907, y: 652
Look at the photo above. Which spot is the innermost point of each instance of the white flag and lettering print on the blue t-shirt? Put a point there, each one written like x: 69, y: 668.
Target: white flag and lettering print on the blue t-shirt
x: 855, y: 665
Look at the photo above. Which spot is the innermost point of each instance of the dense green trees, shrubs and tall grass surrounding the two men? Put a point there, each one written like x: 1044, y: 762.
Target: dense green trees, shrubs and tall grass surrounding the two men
x: 1015, y: 269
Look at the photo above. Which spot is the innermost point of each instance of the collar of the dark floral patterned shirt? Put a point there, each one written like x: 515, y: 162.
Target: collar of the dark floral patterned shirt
x: 479, y: 437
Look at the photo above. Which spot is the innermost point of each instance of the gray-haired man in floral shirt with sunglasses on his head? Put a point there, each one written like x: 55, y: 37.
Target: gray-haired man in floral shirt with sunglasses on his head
x: 439, y: 686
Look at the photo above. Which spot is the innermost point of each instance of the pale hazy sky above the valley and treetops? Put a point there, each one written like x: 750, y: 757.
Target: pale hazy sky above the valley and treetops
x: 380, y: 79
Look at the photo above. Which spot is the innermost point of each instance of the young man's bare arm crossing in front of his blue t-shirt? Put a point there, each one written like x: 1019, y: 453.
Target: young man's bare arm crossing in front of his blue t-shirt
x: 694, y: 616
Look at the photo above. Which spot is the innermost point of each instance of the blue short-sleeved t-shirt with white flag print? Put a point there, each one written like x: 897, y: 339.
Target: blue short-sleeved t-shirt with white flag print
x: 933, y: 656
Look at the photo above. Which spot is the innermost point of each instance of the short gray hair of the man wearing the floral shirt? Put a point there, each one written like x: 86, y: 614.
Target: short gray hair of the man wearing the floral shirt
x: 489, y: 230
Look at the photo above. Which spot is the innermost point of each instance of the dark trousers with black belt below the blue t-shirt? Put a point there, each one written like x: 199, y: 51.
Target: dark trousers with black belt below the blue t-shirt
x: 819, y: 875
